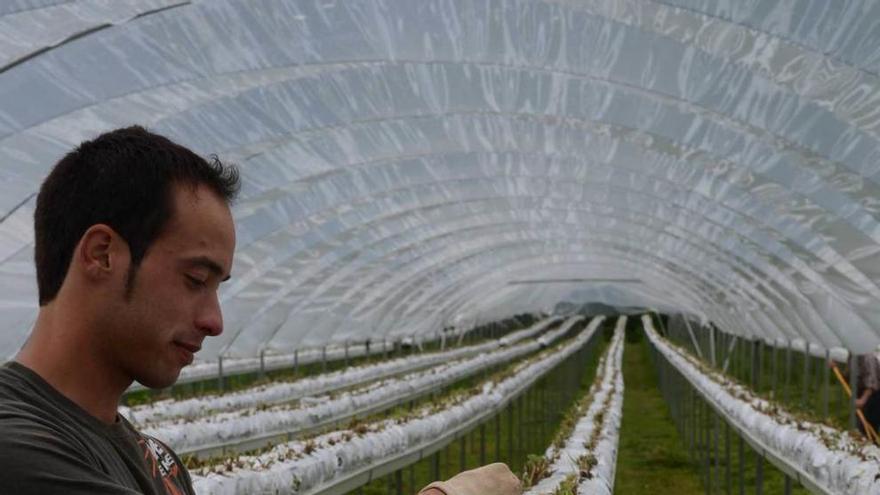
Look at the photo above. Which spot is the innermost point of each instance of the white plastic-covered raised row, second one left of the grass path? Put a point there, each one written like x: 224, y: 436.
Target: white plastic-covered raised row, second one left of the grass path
x: 338, y: 464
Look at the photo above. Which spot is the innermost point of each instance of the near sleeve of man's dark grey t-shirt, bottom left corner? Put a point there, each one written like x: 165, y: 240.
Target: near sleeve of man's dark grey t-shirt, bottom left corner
x: 41, y: 462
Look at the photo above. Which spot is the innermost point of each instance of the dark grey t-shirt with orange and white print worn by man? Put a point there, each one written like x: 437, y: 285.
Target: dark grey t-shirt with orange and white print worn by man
x: 48, y: 444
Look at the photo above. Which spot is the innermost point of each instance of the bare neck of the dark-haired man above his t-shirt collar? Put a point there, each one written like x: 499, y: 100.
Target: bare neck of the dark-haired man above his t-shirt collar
x: 63, y: 357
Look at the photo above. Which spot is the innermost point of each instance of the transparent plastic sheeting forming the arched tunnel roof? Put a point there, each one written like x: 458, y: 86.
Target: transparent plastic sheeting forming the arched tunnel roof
x: 409, y: 166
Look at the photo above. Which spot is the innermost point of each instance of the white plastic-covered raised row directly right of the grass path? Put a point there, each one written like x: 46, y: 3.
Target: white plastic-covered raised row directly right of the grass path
x: 800, y: 449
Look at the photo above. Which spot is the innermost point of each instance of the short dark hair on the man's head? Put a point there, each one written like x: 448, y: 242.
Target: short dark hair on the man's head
x: 123, y: 179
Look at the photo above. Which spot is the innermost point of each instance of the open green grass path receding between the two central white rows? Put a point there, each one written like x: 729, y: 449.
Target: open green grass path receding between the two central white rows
x: 652, y: 458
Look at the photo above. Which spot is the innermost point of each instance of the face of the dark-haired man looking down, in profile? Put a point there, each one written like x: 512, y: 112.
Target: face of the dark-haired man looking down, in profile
x: 173, y: 304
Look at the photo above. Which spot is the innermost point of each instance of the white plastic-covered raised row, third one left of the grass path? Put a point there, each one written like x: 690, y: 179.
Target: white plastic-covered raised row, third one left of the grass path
x: 250, y: 429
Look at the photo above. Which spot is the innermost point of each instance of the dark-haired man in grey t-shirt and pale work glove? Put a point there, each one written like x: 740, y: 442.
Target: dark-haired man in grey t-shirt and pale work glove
x: 133, y: 236
